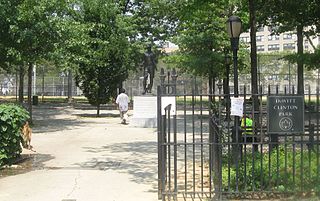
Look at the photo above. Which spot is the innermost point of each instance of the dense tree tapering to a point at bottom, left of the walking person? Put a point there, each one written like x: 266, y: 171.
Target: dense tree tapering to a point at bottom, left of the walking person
x: 105, y: 56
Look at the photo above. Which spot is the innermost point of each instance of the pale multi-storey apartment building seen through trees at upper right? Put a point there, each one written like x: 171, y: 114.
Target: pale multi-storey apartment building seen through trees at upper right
x: 276, y: 72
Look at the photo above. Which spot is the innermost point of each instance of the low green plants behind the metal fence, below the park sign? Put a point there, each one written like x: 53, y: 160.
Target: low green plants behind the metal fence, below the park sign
x: 283, y: 170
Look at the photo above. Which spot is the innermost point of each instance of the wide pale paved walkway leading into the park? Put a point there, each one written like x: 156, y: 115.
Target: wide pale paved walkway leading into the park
x: 79, y: 157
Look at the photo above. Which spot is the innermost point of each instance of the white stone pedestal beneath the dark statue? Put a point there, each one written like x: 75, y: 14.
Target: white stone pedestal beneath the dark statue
x: 144, y: 111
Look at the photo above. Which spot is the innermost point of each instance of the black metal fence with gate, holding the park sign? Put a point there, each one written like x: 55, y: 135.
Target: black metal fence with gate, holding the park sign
x: 202, y: 156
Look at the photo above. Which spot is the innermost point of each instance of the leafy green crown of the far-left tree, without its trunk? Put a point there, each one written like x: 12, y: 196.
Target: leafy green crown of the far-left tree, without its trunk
x: 34, y: 28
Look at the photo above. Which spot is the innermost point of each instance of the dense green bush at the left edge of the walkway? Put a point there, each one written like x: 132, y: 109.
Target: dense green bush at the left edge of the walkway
x: 12, y: 118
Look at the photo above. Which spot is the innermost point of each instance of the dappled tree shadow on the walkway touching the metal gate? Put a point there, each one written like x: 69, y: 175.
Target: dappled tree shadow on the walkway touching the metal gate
x: 138, y: 159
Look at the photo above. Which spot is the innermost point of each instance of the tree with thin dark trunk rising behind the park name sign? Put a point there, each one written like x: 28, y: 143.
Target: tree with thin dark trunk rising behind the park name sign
x: 279, y: 14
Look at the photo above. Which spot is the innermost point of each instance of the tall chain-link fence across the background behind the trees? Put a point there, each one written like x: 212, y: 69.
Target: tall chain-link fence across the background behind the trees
x: 273, y: 72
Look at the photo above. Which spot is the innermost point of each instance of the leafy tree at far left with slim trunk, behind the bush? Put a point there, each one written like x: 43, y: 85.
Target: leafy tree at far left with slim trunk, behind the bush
x: 31, y: 28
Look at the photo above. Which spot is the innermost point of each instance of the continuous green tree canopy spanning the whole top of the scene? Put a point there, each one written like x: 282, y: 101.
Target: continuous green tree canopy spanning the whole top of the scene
x: 106, y: 39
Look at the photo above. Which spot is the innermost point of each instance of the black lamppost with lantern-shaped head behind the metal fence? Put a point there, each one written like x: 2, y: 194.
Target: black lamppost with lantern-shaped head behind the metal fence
x: 234, y: 29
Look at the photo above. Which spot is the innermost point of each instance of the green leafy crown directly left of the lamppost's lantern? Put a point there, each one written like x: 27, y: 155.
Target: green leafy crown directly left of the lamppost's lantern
x: 201, y: 37
